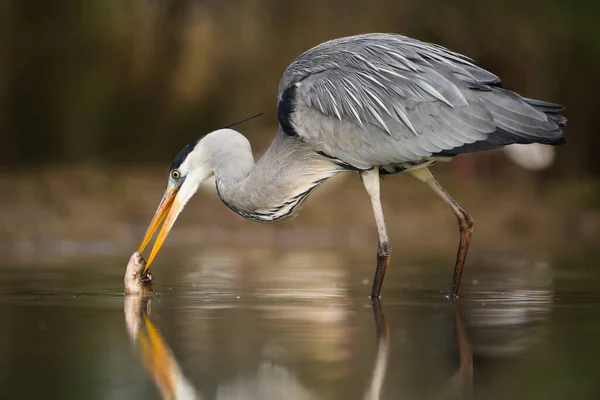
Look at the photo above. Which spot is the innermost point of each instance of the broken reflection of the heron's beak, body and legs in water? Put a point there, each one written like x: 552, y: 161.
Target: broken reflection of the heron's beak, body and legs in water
x: 172, y: 383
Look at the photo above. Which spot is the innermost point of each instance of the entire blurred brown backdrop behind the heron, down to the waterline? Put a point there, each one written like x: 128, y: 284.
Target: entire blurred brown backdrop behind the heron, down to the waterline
x: 98, y: 96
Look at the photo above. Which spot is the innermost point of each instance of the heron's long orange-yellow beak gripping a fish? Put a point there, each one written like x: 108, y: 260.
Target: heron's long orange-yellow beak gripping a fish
x: 168, y: 210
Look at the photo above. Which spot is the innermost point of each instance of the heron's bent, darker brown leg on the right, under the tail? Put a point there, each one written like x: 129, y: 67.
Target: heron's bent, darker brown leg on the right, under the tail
x: 465, y: 225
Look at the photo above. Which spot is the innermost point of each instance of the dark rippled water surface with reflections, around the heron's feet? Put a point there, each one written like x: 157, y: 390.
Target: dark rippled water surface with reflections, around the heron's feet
x: 230, y: 323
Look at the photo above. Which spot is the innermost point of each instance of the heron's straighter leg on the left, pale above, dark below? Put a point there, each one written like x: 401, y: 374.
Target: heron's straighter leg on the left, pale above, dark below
x: 384, y: 250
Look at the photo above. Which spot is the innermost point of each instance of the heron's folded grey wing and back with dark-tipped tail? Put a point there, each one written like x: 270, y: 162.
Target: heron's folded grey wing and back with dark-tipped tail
x: 384, y: 99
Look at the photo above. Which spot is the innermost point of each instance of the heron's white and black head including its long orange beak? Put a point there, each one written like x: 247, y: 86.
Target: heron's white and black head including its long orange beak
x: 186, y: 173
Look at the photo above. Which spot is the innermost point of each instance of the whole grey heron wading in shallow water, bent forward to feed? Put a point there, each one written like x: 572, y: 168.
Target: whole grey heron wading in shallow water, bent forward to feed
x: 375, y: 104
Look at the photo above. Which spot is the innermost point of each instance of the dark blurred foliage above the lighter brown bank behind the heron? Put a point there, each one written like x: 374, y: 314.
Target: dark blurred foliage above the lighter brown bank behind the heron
x: 104, y: 81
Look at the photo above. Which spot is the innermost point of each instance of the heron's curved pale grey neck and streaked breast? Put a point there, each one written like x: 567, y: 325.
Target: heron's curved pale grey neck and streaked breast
x: 276, y: 185
